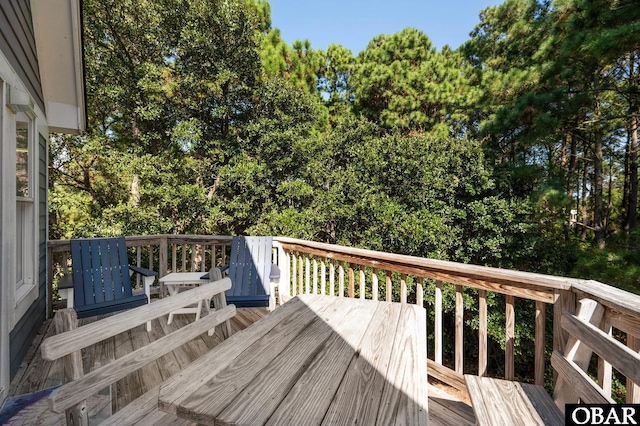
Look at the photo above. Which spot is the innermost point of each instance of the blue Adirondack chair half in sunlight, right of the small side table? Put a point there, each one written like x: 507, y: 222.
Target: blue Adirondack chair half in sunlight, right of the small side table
x: 253, y: 276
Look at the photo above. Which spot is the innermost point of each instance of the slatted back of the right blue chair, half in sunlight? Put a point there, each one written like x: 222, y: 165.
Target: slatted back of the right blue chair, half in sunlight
x: 249, y: 267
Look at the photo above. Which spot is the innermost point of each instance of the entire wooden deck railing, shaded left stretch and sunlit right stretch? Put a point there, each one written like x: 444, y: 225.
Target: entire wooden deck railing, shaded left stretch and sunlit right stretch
x: 317, y: 268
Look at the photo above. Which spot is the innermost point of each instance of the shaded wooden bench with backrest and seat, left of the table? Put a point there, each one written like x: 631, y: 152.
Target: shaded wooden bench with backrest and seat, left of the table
x: 67, y: 344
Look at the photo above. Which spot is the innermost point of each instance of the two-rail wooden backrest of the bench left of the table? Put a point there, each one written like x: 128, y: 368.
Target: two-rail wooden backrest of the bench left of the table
x: 71, y: 340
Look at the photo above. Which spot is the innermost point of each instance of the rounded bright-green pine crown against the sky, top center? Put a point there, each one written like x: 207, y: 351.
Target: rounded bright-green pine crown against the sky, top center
x: 400, y: 81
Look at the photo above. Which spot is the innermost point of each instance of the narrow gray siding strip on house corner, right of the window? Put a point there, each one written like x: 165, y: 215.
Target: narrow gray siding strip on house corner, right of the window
x: 25, y: 331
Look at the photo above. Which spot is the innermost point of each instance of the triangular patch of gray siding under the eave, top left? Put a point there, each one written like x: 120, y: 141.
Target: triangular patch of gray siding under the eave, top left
x: 17, y: 42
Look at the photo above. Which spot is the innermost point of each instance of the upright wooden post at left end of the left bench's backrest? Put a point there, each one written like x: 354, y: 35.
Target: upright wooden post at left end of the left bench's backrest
x: 66, y: 320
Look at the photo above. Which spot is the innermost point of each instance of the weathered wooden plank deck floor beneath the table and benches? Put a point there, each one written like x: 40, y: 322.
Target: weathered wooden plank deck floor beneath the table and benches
x: 36, y: 374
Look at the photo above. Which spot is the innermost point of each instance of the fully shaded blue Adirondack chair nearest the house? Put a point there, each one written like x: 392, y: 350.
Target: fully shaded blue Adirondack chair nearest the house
x: 102, y: 278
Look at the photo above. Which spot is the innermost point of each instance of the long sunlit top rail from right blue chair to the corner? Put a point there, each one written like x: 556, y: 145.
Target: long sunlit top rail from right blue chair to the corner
x: 453, y: 268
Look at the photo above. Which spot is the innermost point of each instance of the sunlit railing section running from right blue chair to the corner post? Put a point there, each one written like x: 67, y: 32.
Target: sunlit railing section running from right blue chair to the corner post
x: 330, y: 269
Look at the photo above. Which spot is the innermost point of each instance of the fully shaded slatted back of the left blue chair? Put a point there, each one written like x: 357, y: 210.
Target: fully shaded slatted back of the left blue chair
x: 100, y: 271
